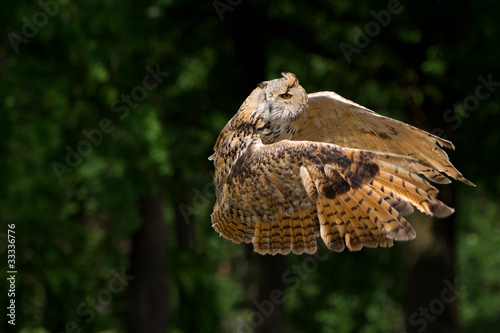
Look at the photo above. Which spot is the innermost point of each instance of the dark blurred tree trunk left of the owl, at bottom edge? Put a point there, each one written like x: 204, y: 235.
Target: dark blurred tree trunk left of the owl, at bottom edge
x: 147, y: 306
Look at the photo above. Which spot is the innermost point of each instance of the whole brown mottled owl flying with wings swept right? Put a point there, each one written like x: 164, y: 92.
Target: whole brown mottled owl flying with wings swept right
x: 291, y: 167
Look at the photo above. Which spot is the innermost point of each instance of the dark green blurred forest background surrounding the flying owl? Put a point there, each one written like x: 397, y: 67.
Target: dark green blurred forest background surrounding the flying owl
x: 104, y: 168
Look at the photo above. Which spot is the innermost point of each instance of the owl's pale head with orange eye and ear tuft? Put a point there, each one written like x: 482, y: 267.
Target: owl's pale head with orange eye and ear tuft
x: 281, y: 100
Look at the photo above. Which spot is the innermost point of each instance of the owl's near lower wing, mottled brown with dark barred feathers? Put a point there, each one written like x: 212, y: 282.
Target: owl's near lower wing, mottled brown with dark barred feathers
x: 283, y: 195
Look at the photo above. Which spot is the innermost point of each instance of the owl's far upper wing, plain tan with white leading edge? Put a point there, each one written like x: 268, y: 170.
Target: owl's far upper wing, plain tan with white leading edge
x: 334, y: 119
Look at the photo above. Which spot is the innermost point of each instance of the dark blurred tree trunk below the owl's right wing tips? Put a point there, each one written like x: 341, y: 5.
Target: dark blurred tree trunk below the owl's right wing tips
x: 432, y: 291
